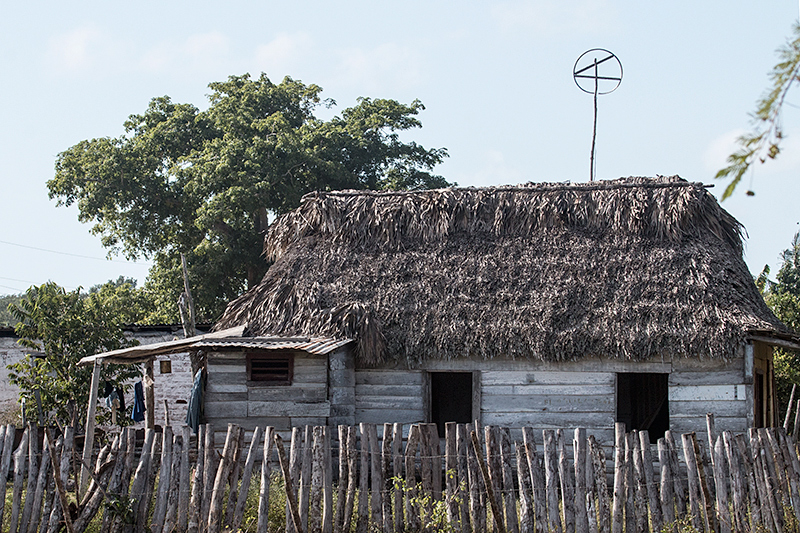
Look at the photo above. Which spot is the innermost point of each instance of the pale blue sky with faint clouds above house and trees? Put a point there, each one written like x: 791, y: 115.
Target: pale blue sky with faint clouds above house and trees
x: 495, y: 78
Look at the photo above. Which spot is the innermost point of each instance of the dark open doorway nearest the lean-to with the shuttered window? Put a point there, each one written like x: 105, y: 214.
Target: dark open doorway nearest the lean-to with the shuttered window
x: 451, y: 398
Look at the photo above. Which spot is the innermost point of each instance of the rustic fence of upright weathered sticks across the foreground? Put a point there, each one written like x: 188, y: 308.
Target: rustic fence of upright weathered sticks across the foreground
x: 349, y: 479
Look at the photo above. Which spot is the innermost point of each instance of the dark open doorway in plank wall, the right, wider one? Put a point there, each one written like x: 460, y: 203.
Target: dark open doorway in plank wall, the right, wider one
x: 643, y: 403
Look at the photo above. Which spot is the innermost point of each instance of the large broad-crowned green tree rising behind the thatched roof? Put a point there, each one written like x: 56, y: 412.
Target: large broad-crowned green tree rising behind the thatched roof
x: 207, y: 183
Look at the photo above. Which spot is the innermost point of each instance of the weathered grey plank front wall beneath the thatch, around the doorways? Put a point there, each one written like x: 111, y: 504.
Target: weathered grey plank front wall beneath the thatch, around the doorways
x: 513, y: 394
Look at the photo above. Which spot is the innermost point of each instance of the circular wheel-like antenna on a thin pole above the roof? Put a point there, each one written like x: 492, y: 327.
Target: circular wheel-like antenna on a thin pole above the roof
x: 588, y: 78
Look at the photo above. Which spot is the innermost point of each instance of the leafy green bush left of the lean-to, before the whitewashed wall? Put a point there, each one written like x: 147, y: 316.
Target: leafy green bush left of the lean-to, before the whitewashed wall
x: 62, y: 327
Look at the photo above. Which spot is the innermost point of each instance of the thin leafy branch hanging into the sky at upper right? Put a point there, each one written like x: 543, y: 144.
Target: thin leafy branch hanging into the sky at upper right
x: 763, y: 143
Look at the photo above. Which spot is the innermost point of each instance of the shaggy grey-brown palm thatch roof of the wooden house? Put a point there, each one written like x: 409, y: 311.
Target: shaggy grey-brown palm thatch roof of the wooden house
x: 633, y: 268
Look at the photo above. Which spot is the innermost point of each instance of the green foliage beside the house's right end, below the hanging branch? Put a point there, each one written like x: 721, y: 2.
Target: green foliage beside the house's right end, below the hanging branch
x: 783, y: 297
